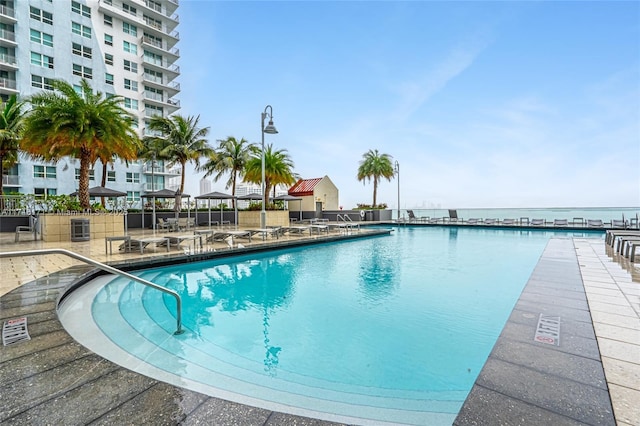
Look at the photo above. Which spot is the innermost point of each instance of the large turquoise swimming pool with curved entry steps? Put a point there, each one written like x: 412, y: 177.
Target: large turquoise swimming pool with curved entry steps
x: 381, y: 329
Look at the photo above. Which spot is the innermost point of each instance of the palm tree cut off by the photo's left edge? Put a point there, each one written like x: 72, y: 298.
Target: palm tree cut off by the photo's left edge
x: 11, y: 124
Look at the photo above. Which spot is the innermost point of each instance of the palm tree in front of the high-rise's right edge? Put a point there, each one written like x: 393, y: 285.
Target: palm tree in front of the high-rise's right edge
x: 181, y: 141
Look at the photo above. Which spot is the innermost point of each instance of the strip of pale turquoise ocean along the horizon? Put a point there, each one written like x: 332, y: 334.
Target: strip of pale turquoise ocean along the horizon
x: 548, y: 214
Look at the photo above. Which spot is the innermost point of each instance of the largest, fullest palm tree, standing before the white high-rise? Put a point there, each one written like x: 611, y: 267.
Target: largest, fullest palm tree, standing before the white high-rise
x: 83, y: 125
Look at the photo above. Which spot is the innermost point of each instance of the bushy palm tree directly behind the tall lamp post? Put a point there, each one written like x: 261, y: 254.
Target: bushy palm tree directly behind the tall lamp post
x: 278, y: 169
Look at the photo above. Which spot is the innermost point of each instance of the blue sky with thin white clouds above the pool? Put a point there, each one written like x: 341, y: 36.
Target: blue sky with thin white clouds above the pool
x: 483, y: 104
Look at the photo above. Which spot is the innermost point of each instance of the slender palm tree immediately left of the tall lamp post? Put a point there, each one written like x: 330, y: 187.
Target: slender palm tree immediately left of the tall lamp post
x: 231, y: 157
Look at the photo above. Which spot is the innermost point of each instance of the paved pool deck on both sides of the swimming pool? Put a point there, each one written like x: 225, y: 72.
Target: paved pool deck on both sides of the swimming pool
x: 523, y: 382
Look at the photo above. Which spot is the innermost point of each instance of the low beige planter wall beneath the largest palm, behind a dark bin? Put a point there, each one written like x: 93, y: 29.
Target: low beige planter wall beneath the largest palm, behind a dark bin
x: 54, y: 227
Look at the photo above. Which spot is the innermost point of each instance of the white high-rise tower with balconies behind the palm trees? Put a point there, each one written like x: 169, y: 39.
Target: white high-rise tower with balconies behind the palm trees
x: 125, y: 48
